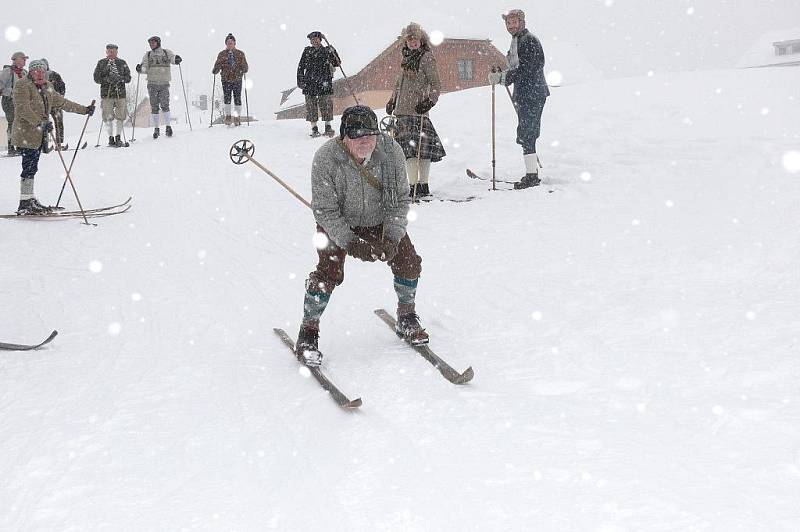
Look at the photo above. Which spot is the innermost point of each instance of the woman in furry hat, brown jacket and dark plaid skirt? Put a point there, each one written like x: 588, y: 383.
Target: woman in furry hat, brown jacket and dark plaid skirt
x: 416, y: 92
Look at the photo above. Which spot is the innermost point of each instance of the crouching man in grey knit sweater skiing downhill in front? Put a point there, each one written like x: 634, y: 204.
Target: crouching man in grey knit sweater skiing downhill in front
x: 359, y: 199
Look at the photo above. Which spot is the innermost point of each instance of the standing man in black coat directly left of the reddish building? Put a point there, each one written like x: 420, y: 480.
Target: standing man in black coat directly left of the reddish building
x: 315, y: 79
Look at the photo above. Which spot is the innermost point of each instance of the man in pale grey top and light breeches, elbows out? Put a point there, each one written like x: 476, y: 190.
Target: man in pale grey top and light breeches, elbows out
x: 156, y: 65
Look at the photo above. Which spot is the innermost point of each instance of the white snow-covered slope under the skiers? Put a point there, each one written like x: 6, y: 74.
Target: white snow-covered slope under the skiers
x: 634, y: 333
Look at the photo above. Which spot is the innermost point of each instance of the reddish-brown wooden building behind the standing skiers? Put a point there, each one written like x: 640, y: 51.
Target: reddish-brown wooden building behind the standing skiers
x: 462, y: 63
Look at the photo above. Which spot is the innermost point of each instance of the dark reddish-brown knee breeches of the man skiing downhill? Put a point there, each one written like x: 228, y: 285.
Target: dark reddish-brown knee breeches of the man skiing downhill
x: 330, y: 268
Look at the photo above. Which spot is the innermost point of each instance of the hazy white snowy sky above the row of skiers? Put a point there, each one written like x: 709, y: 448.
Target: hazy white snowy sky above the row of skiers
x: 619, y: 37
